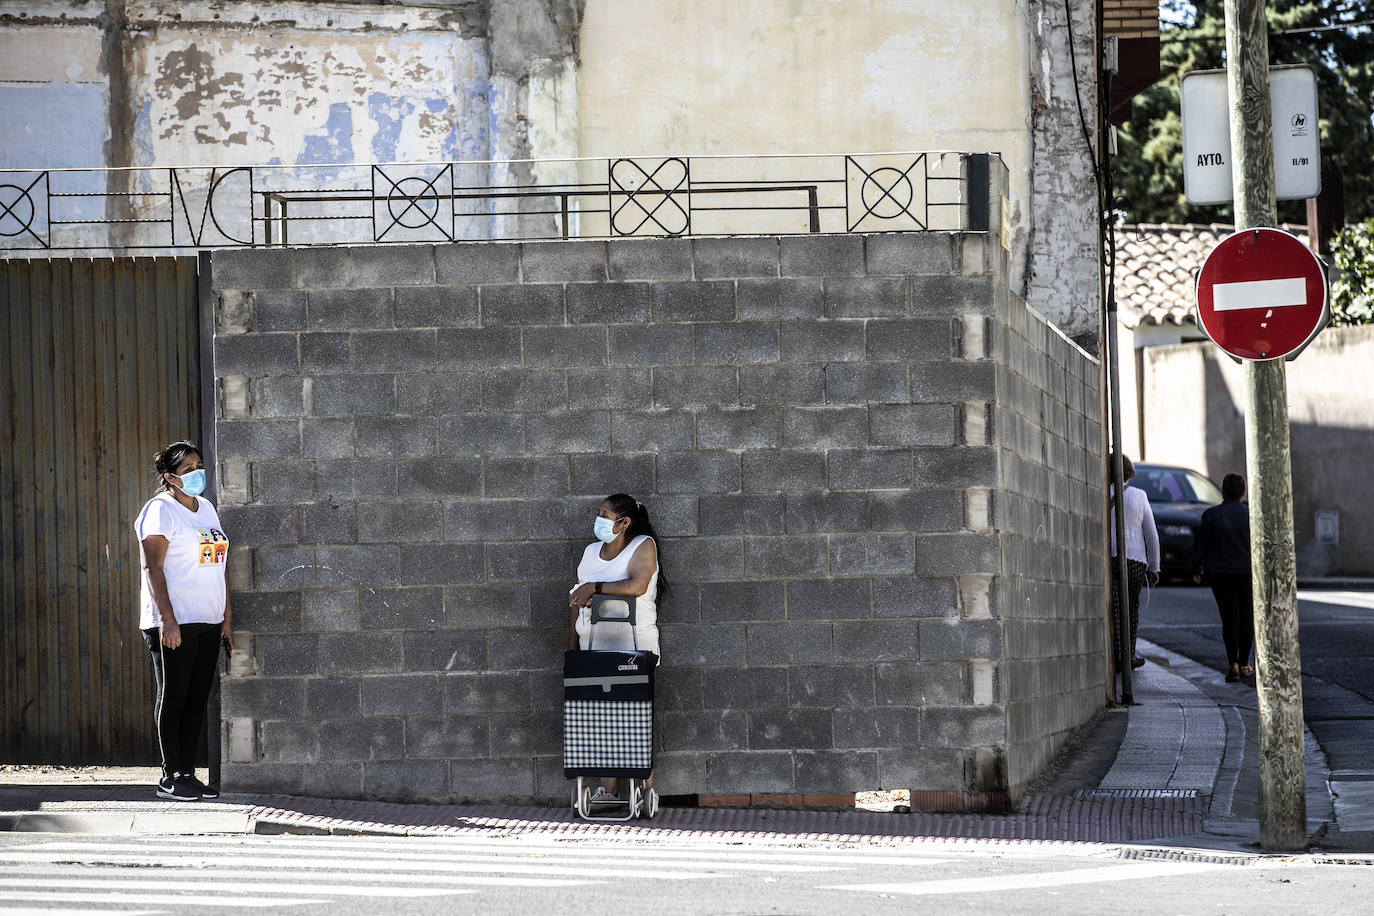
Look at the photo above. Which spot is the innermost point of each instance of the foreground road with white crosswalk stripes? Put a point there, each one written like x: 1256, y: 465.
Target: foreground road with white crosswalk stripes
x: 722, y: 874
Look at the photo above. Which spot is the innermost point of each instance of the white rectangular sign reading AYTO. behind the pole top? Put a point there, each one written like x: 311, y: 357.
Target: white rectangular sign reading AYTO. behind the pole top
x: 1207, y: 135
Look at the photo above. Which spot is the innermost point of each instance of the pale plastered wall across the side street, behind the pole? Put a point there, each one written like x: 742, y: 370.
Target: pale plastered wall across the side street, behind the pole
x: 1195, y: 400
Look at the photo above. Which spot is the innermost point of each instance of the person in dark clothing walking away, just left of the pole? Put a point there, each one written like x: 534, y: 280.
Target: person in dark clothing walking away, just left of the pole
x: 1222, y: 560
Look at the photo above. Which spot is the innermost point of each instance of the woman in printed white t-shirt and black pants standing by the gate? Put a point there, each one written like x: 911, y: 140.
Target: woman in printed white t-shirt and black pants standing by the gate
x: 185, y: 610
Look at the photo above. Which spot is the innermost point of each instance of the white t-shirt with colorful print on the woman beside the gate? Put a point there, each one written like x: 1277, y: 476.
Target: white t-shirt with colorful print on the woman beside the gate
x: 194, y: 566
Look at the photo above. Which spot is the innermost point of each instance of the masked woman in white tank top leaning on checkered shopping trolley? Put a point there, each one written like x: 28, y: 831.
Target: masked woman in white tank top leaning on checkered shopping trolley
x: 622, y: 561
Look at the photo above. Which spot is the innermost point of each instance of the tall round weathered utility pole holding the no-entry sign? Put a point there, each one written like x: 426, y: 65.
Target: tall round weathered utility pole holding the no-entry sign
x: 1273, y: 564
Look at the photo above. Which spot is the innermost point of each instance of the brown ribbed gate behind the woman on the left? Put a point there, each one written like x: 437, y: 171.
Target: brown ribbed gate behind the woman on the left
x: 100, y: 366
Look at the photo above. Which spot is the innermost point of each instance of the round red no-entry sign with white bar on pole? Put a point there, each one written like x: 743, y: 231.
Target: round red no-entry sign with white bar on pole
x: 1262, y: 295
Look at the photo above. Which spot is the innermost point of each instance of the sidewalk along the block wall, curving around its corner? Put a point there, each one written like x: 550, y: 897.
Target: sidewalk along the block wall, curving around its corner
x: 1175, y: 771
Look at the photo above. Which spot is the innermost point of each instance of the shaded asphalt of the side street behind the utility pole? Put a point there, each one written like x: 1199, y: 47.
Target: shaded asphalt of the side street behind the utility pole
x: 1336, y: 637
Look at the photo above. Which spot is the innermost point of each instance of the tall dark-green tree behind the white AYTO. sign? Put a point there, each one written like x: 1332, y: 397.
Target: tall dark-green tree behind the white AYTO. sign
x: 1149, y: 163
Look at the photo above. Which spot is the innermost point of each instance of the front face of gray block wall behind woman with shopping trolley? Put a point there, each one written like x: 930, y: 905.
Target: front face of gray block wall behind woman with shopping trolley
x: 413, y: 442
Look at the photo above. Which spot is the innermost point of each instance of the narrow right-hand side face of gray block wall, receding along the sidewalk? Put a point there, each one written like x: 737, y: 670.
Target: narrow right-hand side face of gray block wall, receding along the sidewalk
x: 1049, y: 517
